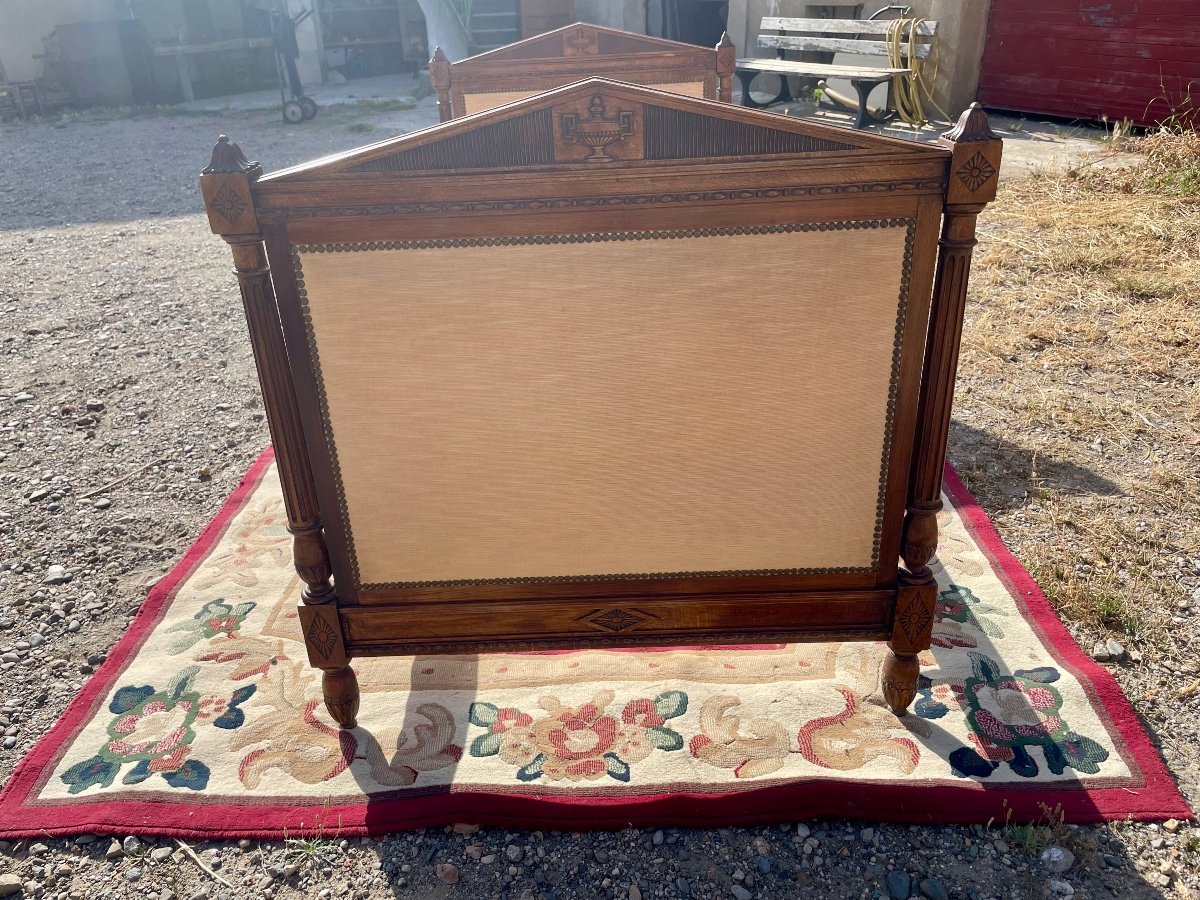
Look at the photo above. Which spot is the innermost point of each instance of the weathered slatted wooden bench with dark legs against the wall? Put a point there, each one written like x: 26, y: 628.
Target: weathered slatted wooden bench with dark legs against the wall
x: 817, y: 37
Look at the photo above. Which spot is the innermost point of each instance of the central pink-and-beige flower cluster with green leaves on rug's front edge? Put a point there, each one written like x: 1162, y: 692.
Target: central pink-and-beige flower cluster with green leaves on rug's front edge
x: 581, y: 743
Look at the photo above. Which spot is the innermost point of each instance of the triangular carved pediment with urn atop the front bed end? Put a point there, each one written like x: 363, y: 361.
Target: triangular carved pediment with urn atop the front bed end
x: 599, y: 123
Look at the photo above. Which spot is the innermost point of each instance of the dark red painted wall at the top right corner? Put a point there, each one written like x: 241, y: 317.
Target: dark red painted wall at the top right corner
x: 1093, y: 59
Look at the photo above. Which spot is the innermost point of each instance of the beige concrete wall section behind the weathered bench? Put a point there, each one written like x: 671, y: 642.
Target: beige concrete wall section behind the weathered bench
x: 962, y: 33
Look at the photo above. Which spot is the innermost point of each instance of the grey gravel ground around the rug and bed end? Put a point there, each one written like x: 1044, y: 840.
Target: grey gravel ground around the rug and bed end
x: 129, y: 410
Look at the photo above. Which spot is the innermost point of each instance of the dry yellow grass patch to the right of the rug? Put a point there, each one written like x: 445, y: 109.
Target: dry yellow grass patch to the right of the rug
x: 1079, y: 401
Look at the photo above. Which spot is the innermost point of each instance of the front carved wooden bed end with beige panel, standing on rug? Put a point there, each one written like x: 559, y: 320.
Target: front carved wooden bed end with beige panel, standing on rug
x: 539, y: 379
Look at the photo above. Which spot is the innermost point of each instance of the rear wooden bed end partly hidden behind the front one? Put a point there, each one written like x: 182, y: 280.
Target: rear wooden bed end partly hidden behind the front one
x: 574, y: 53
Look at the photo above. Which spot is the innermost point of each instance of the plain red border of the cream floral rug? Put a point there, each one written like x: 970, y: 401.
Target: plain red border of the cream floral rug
x: 967, y: 803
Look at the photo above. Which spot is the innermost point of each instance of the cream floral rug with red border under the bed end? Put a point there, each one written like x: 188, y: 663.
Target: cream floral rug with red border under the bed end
x: 207, y: 719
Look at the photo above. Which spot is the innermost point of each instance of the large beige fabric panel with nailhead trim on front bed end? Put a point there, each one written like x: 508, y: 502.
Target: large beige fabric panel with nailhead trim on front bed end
x: 625, y: 407
